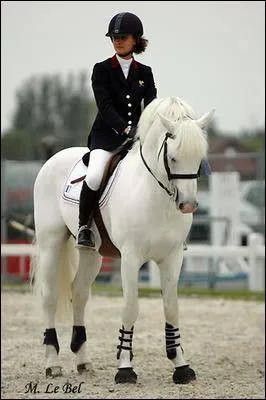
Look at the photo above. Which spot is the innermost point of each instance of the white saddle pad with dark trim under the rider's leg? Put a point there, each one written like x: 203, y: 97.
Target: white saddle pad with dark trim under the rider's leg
x: 73, y: 185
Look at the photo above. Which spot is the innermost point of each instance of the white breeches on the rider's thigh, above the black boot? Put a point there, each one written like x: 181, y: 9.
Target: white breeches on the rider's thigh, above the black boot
x: 98, y: 160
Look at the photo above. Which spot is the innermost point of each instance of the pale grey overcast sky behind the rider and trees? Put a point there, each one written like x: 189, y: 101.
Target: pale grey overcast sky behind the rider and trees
x: 209, y: 53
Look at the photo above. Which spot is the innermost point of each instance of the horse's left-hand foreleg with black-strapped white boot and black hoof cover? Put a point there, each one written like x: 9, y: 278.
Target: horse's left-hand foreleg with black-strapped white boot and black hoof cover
x: 129, y: 276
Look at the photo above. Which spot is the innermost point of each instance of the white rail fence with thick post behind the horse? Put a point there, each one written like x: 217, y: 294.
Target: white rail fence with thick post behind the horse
x: 253, y: 254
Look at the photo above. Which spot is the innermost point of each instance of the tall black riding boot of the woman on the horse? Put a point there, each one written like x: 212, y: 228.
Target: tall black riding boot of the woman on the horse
x: 87, y: 202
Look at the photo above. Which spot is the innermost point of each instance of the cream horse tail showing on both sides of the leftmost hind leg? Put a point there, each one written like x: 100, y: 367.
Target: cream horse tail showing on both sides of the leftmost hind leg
x: 67, y: 267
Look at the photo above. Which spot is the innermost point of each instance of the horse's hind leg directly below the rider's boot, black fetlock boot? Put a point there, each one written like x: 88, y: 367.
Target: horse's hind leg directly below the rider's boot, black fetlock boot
x: 88, y: 269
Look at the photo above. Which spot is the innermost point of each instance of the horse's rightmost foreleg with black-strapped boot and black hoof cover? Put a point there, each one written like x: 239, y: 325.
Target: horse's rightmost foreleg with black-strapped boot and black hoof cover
x: 169, y: 274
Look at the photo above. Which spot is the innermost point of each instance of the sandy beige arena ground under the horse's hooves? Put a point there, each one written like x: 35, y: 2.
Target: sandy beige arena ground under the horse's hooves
x: 223, y: 342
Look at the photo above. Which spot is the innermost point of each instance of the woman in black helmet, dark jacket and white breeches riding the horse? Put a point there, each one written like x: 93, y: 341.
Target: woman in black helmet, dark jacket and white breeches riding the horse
x: 120, y: 84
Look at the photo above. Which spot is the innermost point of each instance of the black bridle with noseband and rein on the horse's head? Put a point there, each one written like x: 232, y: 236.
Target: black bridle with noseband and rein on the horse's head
x: 172, y: 194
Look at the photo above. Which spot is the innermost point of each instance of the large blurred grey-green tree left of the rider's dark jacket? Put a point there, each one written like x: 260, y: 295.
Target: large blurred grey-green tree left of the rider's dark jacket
x: 49, y: 106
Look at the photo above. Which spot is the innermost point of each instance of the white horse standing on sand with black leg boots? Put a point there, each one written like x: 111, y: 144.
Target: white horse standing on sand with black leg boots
x: 147, y: 214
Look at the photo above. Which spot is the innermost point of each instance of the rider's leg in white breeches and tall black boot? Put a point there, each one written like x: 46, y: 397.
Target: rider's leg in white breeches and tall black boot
x: 88, y: 196
